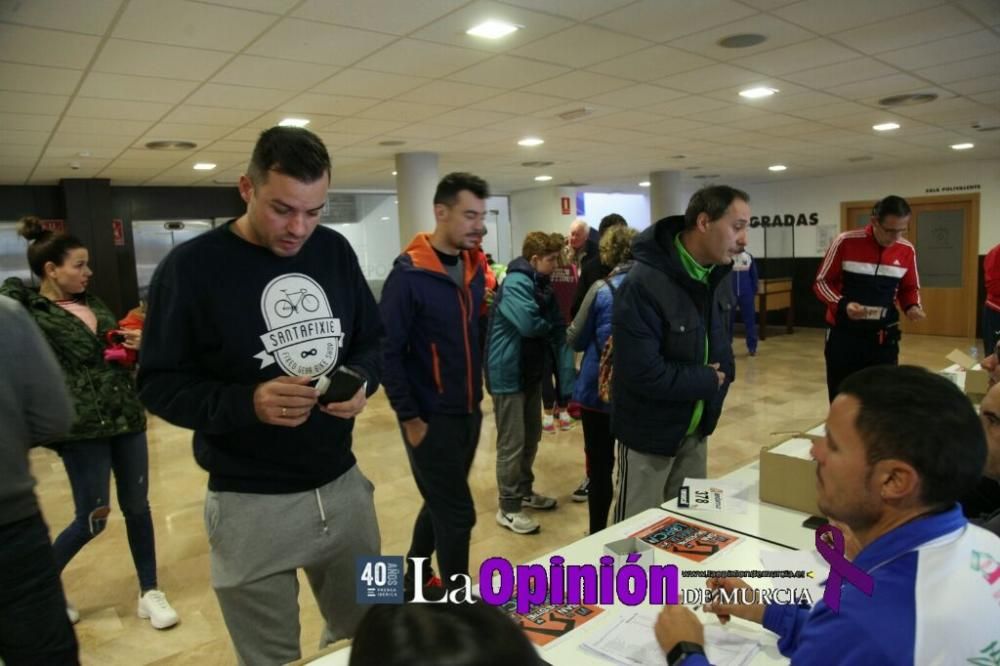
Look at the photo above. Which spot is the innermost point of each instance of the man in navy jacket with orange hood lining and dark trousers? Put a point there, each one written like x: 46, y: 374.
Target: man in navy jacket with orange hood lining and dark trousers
x: 433, y: 374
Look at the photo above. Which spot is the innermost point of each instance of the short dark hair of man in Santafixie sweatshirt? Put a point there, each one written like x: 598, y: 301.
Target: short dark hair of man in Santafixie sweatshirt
x: 293, y: 151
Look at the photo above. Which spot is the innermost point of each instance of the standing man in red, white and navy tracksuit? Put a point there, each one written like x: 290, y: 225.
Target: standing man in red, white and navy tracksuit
x: 865, y: 274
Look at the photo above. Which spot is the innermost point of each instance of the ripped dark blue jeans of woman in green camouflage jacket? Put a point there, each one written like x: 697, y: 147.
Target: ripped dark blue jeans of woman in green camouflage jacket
x: 89, y: 464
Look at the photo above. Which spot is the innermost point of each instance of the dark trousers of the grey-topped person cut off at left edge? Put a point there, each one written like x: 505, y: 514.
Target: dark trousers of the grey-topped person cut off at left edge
x: 34, y: 628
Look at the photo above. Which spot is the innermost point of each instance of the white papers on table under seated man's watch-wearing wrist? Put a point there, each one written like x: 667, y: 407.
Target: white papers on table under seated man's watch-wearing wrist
x: 631, y: 640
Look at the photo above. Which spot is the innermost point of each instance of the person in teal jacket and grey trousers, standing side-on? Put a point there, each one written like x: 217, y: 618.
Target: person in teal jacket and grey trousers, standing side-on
x: 525, y: 325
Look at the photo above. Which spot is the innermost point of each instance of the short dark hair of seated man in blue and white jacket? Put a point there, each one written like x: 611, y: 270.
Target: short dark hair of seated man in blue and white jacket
x: 914, y: 415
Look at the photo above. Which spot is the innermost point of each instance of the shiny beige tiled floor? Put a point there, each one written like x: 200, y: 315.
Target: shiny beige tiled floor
x: 781, y: 389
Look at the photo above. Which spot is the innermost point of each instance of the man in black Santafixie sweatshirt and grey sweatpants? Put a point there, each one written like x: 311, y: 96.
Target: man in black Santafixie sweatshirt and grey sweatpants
x: 242, y: 321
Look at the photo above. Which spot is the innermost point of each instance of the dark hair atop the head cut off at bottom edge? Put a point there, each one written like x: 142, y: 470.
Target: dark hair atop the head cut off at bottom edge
x: 440, y: 635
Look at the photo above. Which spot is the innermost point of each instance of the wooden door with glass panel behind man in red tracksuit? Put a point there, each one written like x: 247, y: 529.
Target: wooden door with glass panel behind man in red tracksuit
x: 945, y: 232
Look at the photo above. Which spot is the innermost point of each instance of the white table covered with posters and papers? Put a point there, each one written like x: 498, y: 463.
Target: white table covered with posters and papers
x: 745, y: 554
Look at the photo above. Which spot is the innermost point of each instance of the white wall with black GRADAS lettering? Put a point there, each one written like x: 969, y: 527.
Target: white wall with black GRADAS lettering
x: 824, y: 196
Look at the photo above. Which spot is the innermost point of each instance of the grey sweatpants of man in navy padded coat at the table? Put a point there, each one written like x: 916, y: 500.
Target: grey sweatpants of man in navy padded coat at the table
x: 646, y: 480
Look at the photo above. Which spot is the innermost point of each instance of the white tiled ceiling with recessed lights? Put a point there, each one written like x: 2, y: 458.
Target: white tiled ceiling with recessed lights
x: 91, y: 82
